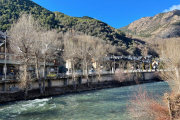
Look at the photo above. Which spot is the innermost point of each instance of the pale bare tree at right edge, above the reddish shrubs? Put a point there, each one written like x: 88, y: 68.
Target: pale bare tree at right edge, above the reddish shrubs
x: 171, y: 58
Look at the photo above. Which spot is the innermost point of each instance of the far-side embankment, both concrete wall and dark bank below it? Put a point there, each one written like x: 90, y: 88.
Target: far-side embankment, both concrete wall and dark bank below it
x: 10, y: 90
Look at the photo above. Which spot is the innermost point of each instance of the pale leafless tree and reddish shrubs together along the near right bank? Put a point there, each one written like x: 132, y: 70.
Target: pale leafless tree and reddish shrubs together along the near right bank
x: 145, y: 106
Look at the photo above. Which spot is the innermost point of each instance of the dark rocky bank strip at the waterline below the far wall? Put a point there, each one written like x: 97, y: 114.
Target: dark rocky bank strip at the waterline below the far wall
x: 51, y: 91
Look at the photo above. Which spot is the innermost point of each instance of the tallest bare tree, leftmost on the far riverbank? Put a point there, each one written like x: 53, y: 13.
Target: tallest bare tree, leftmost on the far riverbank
x: 21, y: 41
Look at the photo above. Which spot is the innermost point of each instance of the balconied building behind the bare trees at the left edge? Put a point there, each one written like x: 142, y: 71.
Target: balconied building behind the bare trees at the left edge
x: 13, y: 62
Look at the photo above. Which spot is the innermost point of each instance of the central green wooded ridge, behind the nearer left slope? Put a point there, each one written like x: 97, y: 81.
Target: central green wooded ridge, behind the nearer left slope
x: 90, y: 26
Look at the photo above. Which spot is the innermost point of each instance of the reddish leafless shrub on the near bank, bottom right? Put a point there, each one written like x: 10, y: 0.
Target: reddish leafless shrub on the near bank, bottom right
x: 145, y: 107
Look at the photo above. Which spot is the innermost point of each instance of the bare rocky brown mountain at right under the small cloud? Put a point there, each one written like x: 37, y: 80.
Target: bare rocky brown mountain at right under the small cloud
x: 163, y: 25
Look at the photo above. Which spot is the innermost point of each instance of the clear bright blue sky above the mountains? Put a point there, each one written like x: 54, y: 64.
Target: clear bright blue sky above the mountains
x: 117, y: 13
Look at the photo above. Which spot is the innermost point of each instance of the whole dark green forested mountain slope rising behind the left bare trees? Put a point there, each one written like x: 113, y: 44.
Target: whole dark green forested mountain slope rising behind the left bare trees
x: 10, y: 11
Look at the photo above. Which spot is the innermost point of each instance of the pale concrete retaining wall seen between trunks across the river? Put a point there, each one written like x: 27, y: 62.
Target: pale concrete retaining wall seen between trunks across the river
x: 14, y: 85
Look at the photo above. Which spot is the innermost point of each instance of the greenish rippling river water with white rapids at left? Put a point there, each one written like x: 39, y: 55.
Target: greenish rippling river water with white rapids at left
x: 105, y: 104
